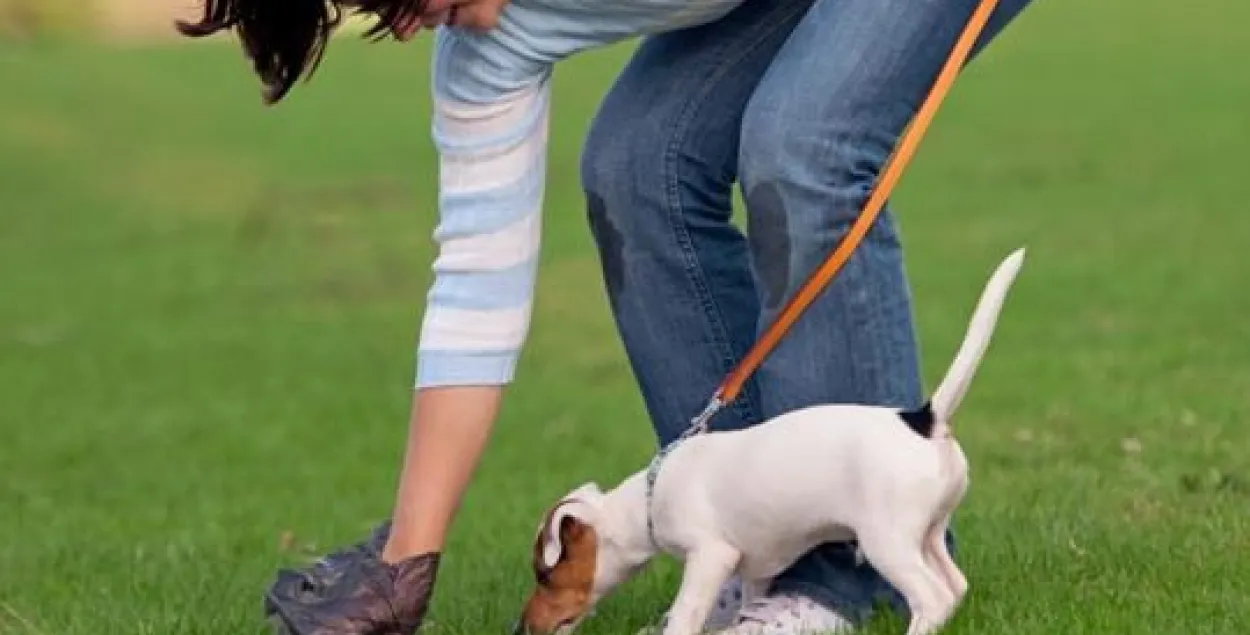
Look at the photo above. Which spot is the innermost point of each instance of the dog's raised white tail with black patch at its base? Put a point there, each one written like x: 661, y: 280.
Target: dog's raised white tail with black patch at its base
x: 953, y: 388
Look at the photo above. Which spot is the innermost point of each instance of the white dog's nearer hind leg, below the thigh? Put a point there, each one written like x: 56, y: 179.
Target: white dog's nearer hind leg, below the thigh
x: 899, y: 557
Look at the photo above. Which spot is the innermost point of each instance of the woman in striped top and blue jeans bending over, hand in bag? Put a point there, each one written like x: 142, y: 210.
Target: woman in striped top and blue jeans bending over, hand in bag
x: 818, y: 92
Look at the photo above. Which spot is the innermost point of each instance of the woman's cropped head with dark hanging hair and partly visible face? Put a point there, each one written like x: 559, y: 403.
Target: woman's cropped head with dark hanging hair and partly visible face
x: 287, y: 39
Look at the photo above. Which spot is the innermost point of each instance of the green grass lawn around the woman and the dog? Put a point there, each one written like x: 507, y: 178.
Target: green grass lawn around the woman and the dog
x: 208, y: 313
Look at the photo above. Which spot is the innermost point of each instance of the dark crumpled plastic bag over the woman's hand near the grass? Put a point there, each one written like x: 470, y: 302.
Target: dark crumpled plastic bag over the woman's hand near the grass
x: 353, y: 593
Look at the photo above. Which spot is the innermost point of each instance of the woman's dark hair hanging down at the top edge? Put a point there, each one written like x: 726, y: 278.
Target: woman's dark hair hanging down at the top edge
x: 286, y: 39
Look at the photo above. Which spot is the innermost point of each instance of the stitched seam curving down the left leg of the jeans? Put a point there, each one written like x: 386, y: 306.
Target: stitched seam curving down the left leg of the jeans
x: 677, y: 222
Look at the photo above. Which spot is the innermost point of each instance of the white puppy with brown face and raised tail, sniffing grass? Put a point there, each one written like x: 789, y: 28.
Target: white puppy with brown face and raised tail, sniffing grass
x: 751, y: 503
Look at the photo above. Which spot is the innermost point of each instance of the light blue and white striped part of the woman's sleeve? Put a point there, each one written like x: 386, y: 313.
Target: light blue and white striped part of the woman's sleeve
x: 492, y: 173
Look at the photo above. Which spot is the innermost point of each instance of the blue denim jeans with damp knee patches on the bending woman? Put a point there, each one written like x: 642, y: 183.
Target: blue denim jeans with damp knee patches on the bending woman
x: 801, y: 102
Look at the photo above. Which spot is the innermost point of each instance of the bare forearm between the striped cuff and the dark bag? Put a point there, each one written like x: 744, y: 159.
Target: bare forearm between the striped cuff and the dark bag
x: 448, y: 432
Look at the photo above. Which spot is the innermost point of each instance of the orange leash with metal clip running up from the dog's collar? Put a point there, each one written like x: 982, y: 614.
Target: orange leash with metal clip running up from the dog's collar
x: 733, y: 384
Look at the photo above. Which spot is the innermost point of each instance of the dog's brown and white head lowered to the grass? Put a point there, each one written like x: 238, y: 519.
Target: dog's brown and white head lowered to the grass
x: 576, y: 564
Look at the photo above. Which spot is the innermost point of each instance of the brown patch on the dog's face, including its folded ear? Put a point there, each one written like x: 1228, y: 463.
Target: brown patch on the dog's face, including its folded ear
x: 566, y: 556
